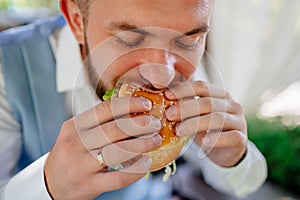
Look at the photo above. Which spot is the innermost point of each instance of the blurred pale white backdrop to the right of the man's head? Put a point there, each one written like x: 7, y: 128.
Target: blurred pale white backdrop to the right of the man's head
x: 255, y: 45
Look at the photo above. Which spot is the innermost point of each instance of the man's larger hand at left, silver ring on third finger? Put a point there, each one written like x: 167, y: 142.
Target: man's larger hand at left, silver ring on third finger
x: 71, y: 172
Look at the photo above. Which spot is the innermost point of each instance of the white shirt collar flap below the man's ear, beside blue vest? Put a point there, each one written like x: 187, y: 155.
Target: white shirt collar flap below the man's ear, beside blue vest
x: 69, y: 70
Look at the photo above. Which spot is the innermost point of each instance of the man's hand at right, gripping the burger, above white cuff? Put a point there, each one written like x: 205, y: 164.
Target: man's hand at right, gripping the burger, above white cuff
x: 217, y: 120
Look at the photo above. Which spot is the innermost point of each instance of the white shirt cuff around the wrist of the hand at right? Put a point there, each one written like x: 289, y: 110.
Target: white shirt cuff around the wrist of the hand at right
x: 240, y: 180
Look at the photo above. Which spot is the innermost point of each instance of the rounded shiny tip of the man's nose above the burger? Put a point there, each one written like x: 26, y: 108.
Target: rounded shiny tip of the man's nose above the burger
x: 159, y: 75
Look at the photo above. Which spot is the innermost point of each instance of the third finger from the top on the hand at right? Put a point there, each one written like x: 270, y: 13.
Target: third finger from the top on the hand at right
x: 214, y: 121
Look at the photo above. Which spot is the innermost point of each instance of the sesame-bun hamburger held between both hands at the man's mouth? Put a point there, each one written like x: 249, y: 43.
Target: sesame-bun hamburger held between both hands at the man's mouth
x: 171, y: 146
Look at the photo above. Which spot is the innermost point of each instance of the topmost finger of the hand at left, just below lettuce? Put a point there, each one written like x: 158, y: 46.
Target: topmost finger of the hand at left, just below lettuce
x: 109, y: 110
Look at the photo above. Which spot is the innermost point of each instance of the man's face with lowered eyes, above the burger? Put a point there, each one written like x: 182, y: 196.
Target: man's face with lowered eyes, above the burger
x: 163, y: 40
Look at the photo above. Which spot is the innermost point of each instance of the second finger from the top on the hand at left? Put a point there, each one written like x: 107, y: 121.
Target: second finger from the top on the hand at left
x: 118, y: 130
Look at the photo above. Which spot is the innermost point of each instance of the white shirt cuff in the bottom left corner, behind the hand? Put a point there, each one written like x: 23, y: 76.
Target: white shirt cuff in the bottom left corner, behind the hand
x: 28, y: 183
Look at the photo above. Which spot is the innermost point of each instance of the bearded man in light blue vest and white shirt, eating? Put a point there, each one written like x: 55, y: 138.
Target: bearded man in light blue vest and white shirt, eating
x: 101, y: 151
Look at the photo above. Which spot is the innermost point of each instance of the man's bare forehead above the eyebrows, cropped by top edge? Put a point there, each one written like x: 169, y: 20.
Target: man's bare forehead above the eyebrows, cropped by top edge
x: 178, y: 15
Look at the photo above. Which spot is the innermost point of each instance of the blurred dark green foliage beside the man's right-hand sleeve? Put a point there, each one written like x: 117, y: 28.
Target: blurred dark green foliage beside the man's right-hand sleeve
x: 281, y: 147
